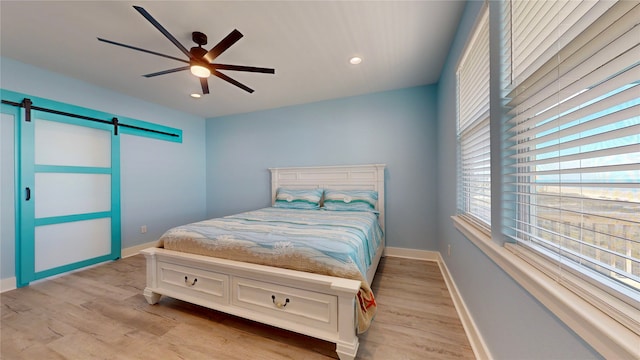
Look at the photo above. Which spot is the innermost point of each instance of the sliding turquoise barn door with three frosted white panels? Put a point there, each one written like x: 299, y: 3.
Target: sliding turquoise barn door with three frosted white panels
x: 69, y: 195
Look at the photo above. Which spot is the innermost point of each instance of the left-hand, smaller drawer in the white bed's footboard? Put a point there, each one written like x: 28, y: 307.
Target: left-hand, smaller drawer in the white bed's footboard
x: 193, y: 282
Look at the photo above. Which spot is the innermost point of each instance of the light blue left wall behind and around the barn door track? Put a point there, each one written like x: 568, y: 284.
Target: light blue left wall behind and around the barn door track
x: 162, y: 182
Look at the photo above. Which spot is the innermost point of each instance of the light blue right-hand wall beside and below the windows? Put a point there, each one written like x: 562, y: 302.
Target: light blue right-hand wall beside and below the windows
x: 513, y: 324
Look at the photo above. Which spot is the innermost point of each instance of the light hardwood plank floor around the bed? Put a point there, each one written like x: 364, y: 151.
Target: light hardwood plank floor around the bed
x: 100, y: 313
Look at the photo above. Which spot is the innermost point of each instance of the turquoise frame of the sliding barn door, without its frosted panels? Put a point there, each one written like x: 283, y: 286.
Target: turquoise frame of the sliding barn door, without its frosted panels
x: 27, y: 197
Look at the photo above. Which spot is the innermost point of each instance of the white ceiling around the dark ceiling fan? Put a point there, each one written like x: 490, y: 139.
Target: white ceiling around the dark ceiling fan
x: 309, y: 43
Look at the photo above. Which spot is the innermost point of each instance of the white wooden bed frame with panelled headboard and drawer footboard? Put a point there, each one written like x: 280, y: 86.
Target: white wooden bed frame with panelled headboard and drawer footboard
x: 316, y: 305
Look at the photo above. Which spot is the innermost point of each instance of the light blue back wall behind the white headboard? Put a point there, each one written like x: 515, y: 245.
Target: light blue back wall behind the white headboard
x: 395, y: 127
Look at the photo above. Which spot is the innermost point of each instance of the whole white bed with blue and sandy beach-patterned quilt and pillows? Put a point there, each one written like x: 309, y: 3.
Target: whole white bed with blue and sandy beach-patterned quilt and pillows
x: 324, y: 306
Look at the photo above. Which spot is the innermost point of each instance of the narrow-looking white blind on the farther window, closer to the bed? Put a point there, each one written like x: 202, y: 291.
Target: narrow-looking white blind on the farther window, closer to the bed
x: 474, y: 176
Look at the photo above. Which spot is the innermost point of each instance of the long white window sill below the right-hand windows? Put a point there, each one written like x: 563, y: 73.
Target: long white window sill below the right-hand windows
x: 606, y: 335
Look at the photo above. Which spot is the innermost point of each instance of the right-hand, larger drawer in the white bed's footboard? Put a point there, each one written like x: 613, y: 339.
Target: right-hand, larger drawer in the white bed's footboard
x: 308, y: 308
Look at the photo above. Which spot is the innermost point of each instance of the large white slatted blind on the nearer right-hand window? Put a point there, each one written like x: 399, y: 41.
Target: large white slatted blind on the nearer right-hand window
x: 574, y: 138
